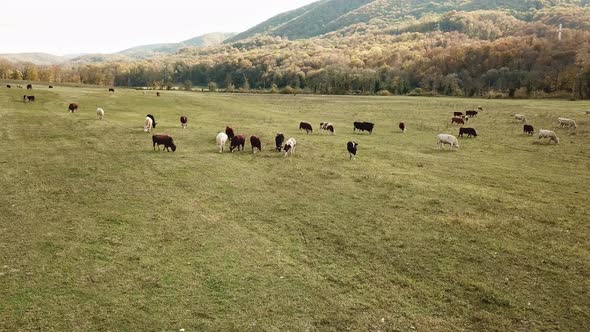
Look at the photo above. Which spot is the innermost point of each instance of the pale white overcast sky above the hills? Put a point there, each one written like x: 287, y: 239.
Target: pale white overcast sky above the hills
x: 106, y: 26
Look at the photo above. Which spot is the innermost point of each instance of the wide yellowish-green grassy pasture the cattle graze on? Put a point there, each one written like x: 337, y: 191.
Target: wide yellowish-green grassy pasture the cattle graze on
x: 99, y: 232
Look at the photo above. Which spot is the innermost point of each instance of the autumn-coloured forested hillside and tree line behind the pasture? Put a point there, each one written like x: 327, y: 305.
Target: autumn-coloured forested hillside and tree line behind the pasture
x: 459, y: 47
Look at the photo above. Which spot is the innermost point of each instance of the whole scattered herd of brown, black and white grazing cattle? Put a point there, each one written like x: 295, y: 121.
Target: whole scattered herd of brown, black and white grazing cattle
x: 237, y: 142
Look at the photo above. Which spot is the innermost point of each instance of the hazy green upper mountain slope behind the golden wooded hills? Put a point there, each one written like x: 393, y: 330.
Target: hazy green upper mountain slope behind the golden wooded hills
x: 328, y: 16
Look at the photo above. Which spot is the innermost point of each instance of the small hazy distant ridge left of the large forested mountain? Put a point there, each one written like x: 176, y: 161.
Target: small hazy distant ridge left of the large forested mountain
x: 147, y: 51
